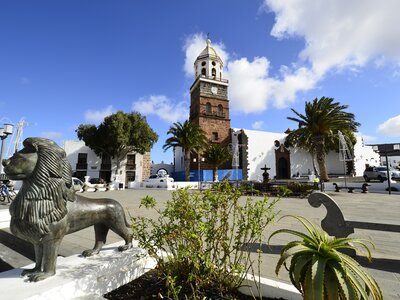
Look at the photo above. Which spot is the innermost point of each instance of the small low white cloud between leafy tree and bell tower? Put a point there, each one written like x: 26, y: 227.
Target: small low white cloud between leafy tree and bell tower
x: 162, y: 107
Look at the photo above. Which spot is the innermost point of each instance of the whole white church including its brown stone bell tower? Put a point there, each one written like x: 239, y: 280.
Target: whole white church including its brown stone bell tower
x: 209, y: 108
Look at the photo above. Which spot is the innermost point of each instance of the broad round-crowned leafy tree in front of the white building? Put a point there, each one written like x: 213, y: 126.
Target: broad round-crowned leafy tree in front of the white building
x: 118, y: 135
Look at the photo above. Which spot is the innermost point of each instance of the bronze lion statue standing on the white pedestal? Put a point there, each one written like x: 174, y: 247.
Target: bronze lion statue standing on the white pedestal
x: 46, y: 207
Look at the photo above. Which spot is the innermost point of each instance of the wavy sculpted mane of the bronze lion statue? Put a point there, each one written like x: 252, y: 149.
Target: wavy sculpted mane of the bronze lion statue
x: 43, y: 196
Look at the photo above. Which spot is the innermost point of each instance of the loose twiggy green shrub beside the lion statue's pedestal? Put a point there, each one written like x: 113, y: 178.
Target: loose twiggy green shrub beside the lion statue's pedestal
x: 199, y: 240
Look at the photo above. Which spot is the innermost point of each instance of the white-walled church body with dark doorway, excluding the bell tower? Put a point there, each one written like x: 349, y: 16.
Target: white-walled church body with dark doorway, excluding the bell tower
x: 261, y: 148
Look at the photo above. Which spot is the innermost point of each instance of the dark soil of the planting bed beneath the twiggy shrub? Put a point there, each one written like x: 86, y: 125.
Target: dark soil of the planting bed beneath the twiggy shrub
x: 150, y: 286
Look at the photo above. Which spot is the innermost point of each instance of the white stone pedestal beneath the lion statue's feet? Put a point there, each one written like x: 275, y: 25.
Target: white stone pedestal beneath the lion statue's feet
x: 79, y: 277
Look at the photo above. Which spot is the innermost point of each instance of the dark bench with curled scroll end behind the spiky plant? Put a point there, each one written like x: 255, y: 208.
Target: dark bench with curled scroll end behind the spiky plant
x: 335, y: 223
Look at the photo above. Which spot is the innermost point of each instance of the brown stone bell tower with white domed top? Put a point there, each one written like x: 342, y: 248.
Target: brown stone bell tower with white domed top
x: 209, y: 104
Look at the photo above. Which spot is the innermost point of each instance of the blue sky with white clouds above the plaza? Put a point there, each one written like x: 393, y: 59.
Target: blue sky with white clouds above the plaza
x: 64, y: 63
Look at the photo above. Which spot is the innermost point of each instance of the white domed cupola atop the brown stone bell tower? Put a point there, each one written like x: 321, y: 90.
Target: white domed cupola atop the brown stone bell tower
x: 208, y: 64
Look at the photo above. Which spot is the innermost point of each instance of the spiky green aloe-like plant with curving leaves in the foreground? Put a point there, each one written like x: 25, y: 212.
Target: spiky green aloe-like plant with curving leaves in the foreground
x: 319, y: 271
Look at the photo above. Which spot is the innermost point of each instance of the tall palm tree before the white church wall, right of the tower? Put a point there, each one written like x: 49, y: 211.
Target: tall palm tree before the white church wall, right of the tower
x: 318, y: 127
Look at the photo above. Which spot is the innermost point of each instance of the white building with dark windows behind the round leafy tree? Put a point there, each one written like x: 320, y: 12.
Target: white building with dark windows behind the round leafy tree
x: 84, y: 162
